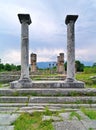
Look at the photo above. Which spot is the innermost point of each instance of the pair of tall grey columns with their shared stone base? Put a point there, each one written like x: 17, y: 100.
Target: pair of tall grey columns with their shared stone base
x: 25, y: 81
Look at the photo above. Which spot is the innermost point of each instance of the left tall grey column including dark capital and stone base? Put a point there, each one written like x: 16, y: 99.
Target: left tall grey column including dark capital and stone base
x: 24, y: 80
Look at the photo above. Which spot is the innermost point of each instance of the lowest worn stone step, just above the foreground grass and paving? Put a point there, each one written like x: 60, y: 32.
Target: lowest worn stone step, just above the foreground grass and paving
x: 42, y: 106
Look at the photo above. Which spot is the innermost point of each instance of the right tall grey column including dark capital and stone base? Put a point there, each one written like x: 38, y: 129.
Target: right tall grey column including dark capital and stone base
x: 70, y: 81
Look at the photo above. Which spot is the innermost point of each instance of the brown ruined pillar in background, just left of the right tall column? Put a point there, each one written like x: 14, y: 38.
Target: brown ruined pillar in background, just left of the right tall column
x: 60, y: 63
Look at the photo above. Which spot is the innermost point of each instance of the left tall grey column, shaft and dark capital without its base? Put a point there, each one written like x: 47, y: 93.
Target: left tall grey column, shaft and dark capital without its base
x: 25, y: 20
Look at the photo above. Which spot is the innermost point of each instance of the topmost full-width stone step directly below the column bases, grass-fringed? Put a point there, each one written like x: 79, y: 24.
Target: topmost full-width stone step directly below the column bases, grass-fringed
x: 48, y: 92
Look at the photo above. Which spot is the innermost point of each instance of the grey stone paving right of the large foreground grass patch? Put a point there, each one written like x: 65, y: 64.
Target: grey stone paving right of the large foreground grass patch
x: 74, y: 124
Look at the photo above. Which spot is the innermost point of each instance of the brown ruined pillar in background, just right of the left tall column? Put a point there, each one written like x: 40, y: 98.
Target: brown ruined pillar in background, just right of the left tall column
x: 33, y: 60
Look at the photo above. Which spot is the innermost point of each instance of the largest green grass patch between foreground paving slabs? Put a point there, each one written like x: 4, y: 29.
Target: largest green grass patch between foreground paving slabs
x: 32, y: 122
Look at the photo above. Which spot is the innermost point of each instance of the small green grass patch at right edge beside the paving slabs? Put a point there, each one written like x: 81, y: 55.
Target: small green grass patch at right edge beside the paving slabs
x: 90, y: 113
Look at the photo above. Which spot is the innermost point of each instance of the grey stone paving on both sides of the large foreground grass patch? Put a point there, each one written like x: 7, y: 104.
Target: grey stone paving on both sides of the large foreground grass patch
x: 62, y: 122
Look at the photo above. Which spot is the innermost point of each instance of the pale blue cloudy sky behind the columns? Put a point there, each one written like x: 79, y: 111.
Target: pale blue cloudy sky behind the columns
x: 48, y: 31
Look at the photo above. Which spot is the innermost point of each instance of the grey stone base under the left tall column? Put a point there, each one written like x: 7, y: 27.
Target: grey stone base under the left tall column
x: 21, y: 83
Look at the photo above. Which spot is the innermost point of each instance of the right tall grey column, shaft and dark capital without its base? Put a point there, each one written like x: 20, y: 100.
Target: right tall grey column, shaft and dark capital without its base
x: 70, y: 22
